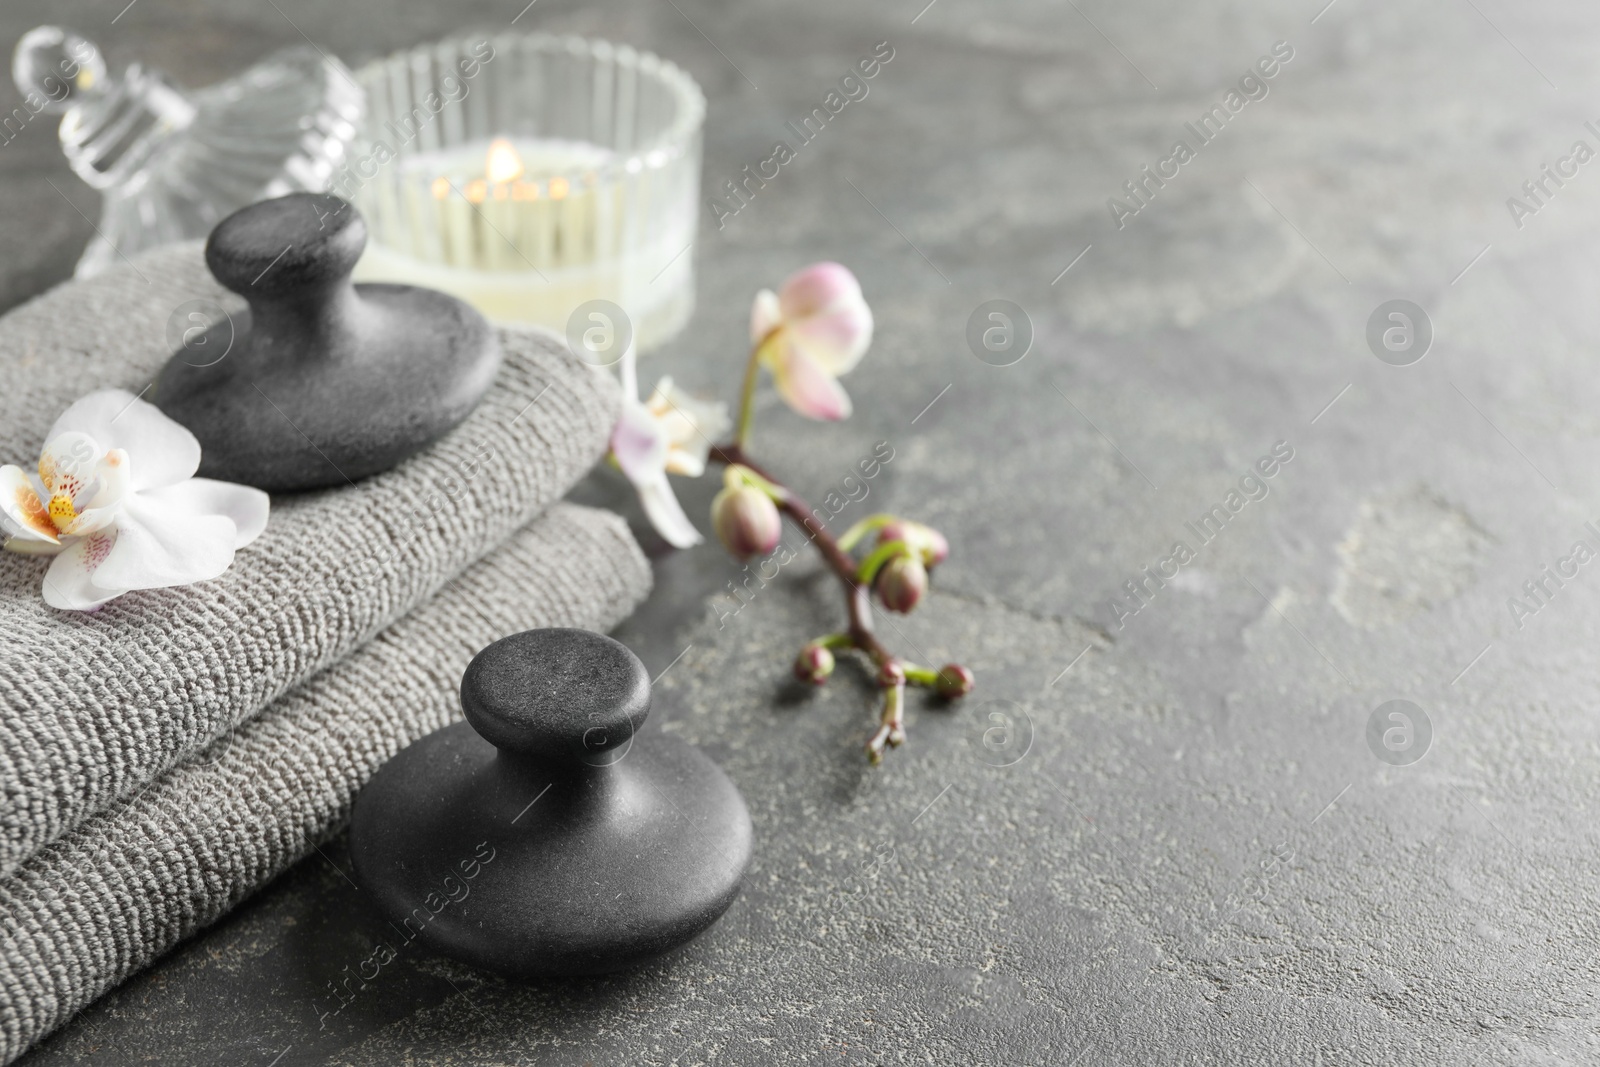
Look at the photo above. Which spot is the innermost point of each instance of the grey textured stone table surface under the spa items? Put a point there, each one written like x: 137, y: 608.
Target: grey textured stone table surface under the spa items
x: 1178, y: 844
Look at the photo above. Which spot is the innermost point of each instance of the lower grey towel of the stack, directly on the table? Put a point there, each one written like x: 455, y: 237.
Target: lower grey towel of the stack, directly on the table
x: 132, y: 882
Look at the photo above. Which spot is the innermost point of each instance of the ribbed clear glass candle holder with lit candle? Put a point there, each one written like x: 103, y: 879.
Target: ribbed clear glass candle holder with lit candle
x: 532, y: 175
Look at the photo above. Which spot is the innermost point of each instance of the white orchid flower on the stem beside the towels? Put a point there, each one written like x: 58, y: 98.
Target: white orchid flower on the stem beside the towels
x: 668, y: 434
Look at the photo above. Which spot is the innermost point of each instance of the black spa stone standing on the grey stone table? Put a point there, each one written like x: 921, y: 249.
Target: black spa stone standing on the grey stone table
x: 548, y: 836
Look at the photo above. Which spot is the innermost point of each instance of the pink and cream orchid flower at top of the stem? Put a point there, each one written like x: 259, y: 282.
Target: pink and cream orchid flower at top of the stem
x: 810, y: 334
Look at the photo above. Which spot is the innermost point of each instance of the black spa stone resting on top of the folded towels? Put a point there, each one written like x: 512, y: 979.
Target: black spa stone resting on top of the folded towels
x: 324, y: 382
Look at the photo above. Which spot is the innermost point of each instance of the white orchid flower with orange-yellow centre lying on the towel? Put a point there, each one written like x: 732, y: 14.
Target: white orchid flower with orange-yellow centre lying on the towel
x: 118, y: 505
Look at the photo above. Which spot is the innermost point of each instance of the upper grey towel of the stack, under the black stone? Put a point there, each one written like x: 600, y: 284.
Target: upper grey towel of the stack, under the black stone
x: 97, y: 706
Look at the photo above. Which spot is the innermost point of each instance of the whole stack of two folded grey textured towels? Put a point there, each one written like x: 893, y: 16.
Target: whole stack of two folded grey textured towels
x: 167, y: 756
